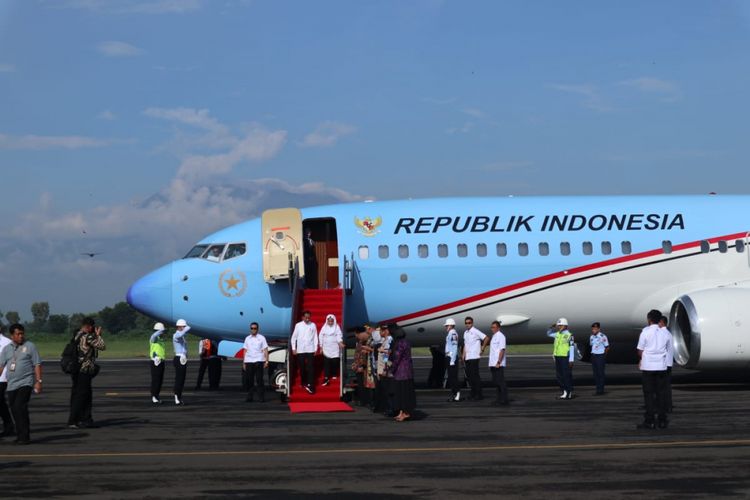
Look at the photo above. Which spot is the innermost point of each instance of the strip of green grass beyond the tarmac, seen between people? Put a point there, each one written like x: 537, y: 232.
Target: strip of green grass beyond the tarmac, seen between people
x: 127, y: 346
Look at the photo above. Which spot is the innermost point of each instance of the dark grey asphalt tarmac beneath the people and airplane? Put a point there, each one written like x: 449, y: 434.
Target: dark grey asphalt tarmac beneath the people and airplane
x: 218, y: 446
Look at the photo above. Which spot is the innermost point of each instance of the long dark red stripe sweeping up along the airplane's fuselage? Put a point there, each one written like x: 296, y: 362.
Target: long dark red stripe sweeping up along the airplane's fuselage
x: 559, y: 274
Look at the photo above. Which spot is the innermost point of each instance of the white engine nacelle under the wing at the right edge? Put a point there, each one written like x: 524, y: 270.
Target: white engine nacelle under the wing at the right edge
x: 711, y: 329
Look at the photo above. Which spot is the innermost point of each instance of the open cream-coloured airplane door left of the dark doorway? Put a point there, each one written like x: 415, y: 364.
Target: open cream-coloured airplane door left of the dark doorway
x: 282, y: 243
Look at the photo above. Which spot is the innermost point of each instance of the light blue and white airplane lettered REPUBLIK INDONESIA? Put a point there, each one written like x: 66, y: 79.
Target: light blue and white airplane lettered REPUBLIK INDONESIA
x: 524, y: 261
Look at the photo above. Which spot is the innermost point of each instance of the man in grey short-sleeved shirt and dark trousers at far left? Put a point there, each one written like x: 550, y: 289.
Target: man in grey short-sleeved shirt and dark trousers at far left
x: 21, y: 361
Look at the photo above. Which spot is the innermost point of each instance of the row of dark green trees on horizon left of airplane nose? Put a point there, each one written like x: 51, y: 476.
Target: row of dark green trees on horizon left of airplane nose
x: 120, y: 318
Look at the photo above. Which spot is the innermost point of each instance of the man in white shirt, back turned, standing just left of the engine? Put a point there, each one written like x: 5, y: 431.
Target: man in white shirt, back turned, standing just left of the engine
x: 652, y: 349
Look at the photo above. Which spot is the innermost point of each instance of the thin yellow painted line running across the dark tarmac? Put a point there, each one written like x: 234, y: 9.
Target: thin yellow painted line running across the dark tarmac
x: 590, y: 446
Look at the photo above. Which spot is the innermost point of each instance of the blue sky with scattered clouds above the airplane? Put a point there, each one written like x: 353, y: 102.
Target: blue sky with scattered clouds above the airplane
x: 135, y: 128
